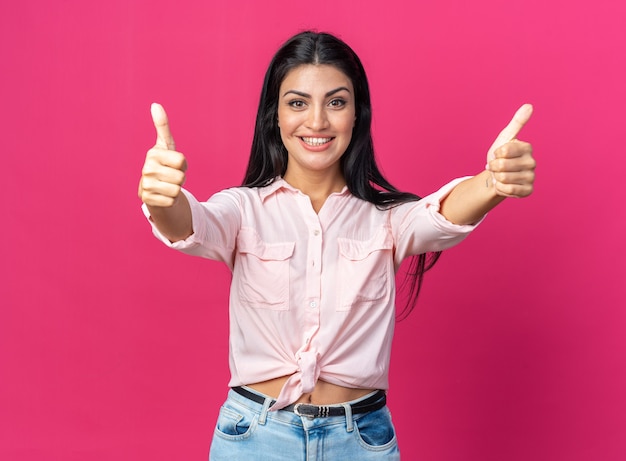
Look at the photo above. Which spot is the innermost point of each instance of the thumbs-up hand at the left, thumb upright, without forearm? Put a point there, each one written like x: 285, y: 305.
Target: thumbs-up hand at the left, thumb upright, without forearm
x: 163, y: 172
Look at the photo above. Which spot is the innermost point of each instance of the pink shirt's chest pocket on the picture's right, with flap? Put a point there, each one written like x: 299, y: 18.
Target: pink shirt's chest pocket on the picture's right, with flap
x: 364, y: 270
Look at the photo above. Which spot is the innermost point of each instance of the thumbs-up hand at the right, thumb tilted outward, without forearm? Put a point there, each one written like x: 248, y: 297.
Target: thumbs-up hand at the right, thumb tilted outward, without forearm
x: 510, y: 160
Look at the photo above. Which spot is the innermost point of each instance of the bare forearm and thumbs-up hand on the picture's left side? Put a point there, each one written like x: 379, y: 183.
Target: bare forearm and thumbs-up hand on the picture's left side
x: 162, y: 177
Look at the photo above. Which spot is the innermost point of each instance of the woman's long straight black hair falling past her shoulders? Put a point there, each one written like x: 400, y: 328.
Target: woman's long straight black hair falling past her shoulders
x: 268, y: 157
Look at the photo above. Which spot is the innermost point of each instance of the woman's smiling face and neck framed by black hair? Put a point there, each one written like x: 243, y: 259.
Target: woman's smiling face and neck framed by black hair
x: 316, y: 114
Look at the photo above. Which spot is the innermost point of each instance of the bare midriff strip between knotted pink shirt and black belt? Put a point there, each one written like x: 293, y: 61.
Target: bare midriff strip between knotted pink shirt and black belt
x: 323, y: 394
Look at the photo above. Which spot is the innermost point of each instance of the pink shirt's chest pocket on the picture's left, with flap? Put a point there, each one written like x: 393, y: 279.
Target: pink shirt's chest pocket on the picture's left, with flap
x: 262, y: 278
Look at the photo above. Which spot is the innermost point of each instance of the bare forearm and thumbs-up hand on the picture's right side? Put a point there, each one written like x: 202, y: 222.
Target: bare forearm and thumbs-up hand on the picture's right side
x: 510, y: 172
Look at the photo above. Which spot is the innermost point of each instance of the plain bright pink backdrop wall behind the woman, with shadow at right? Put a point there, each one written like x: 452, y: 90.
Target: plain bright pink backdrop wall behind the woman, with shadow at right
x: 114, y: 348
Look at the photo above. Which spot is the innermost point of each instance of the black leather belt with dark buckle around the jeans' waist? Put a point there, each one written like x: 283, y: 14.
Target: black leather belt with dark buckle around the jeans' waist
x: 375, y: 402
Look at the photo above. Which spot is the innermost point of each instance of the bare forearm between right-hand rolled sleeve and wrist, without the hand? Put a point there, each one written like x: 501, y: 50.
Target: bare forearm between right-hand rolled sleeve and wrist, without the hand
x: 469, y: 201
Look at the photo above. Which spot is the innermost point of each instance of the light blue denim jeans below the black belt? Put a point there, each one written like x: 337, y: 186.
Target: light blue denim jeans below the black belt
x: 246, y: 430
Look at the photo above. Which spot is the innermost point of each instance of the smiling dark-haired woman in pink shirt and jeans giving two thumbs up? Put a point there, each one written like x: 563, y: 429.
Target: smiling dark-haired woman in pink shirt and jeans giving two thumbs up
x: 313, y: 238
